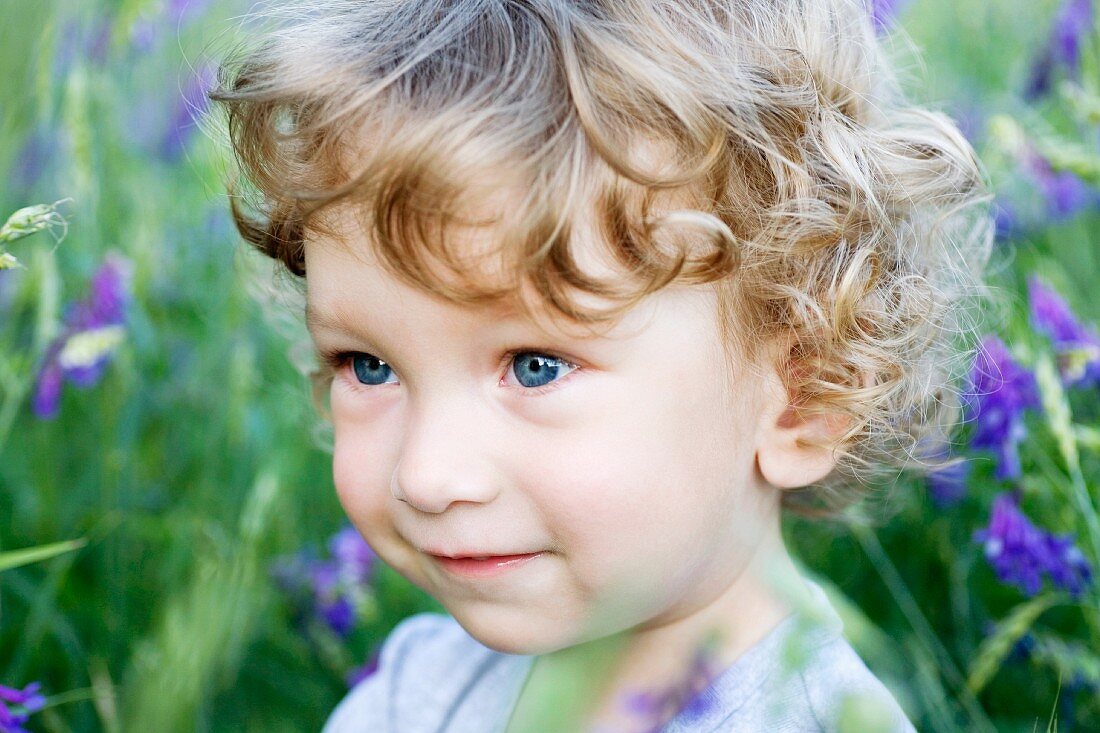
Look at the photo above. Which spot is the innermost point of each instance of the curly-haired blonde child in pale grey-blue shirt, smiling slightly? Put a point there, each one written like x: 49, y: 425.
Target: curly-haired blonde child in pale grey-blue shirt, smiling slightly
x: 600, y: 288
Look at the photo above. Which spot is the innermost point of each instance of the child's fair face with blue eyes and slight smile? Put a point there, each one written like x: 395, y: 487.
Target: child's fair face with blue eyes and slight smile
x: 626, y: 476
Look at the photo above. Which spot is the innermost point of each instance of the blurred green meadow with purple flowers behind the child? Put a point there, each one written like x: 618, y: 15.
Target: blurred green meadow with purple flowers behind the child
x: 155, y: 414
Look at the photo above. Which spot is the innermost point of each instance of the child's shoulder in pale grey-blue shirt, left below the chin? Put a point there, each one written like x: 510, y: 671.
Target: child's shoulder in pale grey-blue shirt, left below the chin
x: 430, y: 669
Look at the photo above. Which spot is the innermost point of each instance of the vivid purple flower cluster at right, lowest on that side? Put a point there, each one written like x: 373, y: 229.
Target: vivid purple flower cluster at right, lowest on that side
x: 1021, y: 554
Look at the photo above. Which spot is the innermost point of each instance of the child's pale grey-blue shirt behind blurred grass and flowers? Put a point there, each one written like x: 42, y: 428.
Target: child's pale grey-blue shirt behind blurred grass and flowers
x: 434, y: 677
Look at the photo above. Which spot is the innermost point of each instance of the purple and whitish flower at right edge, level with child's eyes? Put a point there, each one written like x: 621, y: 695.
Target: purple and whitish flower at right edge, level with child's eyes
x: 1077, y: 346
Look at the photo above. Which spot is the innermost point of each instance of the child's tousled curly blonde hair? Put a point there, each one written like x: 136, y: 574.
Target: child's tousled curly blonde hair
x: 763, y: 147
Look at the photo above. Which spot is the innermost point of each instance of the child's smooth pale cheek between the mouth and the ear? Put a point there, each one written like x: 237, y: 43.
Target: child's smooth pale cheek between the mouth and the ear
x: 654, y: 478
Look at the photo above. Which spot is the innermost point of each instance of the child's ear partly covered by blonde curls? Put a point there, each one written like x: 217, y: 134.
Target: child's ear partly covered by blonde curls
x: 794, y: 448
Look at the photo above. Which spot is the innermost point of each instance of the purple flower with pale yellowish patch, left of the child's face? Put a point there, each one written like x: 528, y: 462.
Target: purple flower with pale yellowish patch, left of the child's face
x: 93, y: 331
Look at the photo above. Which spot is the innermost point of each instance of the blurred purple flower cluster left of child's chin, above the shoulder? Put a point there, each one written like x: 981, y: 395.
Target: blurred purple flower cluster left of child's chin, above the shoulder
x: 332, y: 589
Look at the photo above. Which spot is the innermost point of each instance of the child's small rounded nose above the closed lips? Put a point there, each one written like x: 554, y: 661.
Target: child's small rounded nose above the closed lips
x: 446, y: 458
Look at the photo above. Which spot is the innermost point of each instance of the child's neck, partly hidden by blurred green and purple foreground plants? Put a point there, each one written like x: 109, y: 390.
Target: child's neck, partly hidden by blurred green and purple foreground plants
x: 666, y: 660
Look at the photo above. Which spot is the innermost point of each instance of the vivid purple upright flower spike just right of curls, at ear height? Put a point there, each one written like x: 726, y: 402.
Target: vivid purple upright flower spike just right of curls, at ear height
x: 999, y: 392
